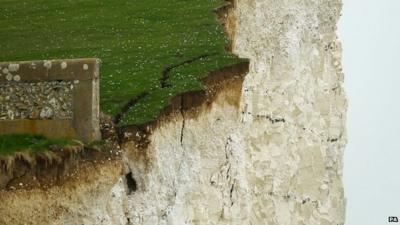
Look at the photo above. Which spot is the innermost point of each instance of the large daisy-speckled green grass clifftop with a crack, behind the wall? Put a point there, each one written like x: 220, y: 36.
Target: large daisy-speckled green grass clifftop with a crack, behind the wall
x: 136, y: 40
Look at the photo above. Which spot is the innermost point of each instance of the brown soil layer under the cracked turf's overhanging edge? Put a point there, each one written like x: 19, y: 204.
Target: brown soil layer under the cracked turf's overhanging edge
x: 190, y: 102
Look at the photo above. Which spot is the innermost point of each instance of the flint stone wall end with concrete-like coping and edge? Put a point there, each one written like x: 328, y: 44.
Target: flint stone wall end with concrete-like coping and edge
x: 55, y: 98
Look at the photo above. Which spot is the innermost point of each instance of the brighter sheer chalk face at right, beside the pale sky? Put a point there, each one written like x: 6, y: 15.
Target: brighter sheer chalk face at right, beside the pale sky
x: 294, y: 110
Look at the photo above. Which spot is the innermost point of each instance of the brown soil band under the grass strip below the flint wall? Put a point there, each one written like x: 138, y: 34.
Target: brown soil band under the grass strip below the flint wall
x: 44, y: 174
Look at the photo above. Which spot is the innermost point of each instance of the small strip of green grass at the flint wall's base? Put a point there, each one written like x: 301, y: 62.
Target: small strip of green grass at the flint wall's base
x: 9, y: 144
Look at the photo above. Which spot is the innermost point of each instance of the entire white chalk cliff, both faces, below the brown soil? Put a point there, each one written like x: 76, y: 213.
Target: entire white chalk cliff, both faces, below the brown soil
x: 266, y: 150
